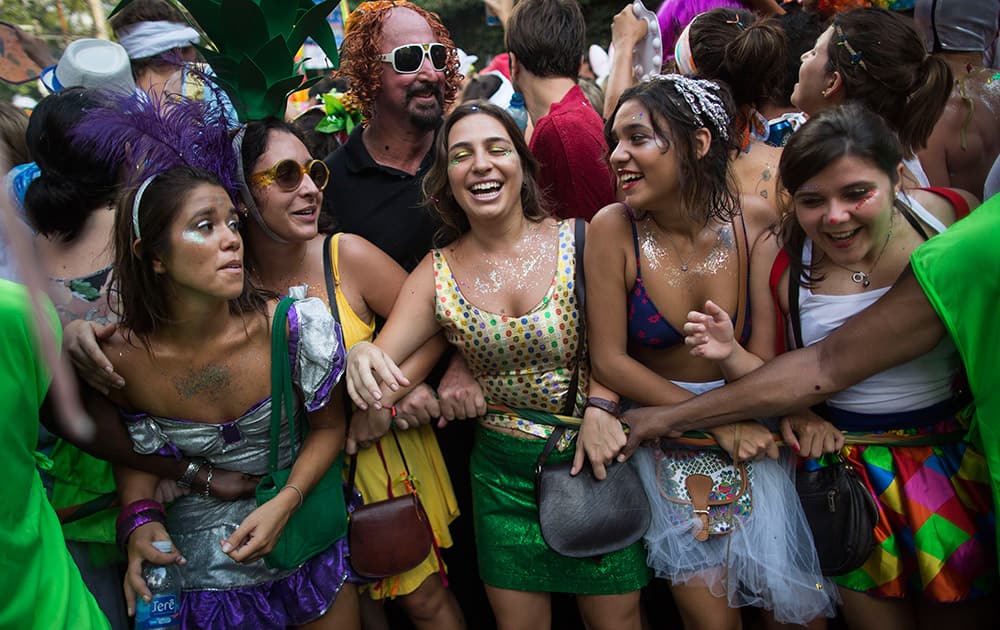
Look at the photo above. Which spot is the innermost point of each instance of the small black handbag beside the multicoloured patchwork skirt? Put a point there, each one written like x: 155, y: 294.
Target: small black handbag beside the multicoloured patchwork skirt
x: 842, y: 515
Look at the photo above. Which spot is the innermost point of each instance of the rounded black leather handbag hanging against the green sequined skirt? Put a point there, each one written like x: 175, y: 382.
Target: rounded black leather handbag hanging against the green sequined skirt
x: 582, y: 517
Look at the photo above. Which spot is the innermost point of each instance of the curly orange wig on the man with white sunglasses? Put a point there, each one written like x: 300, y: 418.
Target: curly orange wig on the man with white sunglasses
x: 362, y: 45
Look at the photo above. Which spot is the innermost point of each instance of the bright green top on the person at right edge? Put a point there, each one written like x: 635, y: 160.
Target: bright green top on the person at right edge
x: 959, y: 271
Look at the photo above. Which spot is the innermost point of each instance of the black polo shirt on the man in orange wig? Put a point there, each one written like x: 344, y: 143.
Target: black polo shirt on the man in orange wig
x: 379, y: 203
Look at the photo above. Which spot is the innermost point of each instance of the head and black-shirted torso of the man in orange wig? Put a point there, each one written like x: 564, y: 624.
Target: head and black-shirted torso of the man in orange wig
x: 375, y: 177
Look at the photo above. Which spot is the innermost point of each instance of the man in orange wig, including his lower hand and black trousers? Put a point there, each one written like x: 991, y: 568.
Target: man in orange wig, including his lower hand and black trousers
x: 375, y: 191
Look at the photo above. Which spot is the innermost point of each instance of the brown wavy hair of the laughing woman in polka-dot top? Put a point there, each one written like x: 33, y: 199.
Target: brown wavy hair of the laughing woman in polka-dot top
x: 437, y: 191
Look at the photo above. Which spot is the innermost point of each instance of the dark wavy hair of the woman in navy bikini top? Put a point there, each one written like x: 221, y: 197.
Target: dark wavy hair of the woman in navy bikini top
x: 708, y: 186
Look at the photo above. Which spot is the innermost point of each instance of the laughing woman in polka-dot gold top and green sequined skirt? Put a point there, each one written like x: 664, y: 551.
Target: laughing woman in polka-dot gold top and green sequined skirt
x: 502, y: 292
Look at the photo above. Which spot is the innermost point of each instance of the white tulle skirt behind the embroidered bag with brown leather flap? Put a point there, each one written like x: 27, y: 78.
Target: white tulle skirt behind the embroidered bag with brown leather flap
x: 768, y: 561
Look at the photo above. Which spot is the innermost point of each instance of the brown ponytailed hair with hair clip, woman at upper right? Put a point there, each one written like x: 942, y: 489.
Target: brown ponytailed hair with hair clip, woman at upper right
x: 883, y: 64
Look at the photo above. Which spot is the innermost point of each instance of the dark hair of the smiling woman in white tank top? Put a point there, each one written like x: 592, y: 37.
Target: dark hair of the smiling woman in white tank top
x: 850, y: 130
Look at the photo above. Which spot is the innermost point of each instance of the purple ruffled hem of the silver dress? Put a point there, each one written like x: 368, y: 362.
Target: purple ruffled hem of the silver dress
x: 296, y: 599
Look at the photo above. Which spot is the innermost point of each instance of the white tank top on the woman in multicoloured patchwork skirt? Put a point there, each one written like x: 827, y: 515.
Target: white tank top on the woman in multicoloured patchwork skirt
x: 919, y: 383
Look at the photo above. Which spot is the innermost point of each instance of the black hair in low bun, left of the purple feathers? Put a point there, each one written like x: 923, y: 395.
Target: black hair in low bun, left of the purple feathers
x: 75, y: 180
